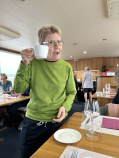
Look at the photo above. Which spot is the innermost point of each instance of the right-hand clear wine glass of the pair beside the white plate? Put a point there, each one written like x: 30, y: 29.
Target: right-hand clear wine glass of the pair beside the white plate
x: 94, y: 107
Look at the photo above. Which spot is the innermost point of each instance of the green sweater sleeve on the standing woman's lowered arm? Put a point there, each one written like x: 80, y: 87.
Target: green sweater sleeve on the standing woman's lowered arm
x: 70, y: 91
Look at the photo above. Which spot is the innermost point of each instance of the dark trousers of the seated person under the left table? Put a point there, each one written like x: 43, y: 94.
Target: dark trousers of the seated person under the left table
x: 12, y: 111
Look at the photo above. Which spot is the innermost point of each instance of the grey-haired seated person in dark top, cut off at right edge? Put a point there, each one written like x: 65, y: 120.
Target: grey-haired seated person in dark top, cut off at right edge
x: 103, y: 110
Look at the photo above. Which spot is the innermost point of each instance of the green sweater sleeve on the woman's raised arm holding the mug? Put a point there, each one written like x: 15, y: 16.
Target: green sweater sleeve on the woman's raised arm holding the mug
x: 22, y: 78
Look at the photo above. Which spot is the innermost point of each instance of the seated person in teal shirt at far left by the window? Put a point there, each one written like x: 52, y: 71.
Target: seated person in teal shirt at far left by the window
x: 6, y: 84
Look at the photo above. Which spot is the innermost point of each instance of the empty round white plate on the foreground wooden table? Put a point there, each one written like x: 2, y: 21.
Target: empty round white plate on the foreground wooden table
x: 67, y: 135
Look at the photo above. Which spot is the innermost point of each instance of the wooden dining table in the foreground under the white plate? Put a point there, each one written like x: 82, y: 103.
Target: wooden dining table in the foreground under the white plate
x: 106, y: 144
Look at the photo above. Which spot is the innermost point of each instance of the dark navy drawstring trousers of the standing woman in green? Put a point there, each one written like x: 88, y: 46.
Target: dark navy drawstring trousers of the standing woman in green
x: 34, y: 134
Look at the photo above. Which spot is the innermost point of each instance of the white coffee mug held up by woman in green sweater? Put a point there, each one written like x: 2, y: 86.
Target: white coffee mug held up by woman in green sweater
x: 40, y: 51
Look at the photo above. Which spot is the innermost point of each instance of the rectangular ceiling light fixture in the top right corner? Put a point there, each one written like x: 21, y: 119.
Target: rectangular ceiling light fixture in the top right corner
x: 113, y: 9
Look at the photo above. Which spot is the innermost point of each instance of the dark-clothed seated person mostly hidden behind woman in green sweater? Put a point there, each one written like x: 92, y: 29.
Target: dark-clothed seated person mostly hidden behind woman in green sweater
x: 12, y: 109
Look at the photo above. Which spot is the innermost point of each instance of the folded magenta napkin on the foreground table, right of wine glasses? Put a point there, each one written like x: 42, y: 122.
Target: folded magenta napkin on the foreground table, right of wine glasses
x: 110, y: 123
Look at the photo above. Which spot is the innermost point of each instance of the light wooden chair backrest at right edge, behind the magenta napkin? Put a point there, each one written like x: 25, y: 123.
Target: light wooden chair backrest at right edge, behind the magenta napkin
x: 113, y: 110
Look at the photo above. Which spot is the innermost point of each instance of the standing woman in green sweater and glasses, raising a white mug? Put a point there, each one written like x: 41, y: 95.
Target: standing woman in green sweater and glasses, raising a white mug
x: 52, y: 90
